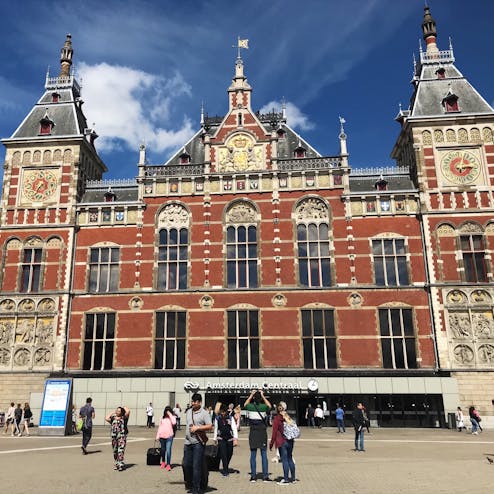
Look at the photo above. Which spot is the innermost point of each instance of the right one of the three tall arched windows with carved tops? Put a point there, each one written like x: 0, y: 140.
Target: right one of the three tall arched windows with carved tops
x: 312, y: 217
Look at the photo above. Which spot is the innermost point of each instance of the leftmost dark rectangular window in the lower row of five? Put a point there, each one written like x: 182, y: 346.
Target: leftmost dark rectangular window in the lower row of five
x: 99, y: 340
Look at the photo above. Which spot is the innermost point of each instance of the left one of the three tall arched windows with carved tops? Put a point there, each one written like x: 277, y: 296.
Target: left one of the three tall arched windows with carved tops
x: 173, y: 247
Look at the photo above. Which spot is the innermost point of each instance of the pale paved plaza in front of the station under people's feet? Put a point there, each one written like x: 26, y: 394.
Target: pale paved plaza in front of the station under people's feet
x: 396, y: 460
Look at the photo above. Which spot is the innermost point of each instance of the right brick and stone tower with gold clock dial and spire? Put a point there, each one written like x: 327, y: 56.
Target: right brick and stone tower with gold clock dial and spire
x: 446, y: 141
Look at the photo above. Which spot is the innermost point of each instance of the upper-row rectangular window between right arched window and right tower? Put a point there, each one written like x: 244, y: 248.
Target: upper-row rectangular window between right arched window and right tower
x: 390, y: 262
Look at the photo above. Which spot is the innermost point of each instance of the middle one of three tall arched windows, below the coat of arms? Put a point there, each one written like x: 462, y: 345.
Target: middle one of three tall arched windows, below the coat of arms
x: 241, y: 246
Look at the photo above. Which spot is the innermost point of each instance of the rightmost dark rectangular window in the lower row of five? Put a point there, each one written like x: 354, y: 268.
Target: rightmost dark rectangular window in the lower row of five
x: 397, y: 339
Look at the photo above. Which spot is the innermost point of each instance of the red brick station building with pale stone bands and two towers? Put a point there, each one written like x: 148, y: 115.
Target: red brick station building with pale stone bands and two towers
x: 248, y: 259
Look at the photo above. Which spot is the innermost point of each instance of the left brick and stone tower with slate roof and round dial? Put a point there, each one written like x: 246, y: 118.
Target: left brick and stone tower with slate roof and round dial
x: 48, y: 160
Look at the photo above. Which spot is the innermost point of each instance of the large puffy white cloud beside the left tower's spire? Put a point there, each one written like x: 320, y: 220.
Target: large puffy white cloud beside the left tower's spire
x: 130, y: 106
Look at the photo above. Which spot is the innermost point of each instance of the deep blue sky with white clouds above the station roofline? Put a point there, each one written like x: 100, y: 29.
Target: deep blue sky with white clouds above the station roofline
x: 146, y: 66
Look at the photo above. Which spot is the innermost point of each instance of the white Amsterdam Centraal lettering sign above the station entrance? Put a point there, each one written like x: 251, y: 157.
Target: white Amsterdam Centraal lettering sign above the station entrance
x: 246, y: 386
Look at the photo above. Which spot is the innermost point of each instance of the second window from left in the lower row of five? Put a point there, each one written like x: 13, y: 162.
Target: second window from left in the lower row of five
x: 169, y: 343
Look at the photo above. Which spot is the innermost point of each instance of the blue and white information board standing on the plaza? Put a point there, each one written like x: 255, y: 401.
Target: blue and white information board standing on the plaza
x: 56, y: 400
